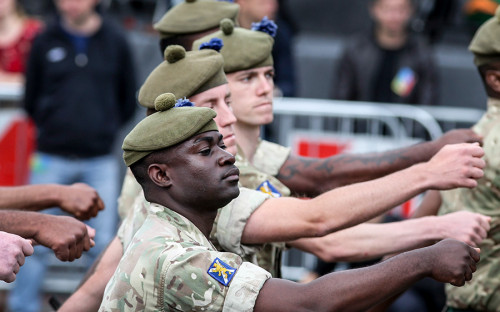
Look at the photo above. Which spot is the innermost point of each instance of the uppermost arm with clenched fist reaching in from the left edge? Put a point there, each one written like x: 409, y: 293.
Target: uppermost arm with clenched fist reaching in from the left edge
x: 78, y: 199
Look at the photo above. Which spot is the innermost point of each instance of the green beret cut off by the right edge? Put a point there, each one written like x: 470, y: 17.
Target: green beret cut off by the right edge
x: 486, y: 42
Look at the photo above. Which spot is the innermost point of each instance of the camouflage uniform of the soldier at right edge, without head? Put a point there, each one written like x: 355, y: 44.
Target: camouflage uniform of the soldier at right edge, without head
x: 482, y: 292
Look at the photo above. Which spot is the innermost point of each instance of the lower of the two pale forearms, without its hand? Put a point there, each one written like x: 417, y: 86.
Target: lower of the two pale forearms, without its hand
x: 368, y: 241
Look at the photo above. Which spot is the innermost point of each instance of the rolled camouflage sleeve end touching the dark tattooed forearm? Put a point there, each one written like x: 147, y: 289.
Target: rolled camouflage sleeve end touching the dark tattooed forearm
x: 270, y: 157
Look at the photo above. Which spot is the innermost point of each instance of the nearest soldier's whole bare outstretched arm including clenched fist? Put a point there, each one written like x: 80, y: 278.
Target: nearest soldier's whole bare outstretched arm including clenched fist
x: 356, y: 290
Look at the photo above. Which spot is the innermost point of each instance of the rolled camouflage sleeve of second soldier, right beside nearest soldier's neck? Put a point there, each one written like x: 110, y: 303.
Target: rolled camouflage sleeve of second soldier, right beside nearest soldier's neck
x: 232, y: 220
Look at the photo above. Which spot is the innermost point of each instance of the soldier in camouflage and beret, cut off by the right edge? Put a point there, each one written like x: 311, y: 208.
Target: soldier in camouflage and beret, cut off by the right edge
x: 483, y: 293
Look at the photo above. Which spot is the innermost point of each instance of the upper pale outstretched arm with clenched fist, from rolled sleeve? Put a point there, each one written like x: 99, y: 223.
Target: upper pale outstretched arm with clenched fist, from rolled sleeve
x: 287, y: 219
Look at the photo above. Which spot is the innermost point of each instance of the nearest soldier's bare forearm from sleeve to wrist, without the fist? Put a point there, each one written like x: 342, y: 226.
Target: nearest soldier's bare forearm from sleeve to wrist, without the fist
x: 352, y: 290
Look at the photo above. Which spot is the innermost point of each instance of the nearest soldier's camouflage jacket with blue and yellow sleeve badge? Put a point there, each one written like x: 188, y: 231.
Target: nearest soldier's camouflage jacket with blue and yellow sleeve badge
x: 171, y: 266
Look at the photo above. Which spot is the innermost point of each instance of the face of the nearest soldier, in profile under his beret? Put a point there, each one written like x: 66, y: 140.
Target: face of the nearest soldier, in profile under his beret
x: 202, y: 171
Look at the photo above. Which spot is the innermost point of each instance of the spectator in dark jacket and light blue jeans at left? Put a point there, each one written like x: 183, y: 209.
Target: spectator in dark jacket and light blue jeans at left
x: 80, y: 89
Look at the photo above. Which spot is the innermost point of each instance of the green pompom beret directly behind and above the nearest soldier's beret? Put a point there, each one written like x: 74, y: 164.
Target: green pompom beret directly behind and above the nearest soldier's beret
x: 183, y: 74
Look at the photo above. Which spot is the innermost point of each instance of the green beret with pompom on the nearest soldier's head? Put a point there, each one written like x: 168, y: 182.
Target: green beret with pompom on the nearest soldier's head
x: 170, y: 125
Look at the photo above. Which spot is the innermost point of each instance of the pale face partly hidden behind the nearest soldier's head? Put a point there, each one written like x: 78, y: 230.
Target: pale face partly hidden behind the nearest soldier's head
x: 219, y: 99
